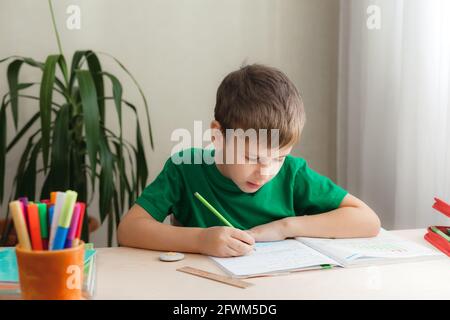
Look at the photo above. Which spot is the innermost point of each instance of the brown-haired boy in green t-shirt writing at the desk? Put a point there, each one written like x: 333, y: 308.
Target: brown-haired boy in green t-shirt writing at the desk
x: 269, y: 196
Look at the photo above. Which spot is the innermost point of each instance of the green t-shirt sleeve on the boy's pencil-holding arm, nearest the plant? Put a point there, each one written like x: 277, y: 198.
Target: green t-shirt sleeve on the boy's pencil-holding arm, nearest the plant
x: 160, y: 196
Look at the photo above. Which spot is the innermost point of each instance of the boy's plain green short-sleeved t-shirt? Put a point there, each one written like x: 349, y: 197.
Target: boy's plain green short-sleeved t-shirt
x: 295, y: 190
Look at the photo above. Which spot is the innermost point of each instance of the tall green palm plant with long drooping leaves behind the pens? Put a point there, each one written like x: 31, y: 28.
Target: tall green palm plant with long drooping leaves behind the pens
x: 73, y: 139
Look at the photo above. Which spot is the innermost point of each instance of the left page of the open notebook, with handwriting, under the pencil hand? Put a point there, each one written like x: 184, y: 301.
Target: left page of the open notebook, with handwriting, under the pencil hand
x: 272, y: 257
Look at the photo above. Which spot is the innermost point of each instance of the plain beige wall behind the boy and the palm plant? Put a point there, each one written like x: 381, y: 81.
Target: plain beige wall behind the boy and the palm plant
x: 180, y: 50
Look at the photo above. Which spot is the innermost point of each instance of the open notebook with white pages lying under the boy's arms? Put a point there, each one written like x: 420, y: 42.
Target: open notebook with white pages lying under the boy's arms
x: 271, y: 258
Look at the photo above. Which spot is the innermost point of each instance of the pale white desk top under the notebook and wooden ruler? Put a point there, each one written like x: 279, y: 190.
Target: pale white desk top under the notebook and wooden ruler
x: 125, y: 273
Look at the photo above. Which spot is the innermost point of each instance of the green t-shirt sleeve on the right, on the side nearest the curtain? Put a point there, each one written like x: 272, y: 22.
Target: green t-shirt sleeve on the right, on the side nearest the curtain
x: 315, y: 193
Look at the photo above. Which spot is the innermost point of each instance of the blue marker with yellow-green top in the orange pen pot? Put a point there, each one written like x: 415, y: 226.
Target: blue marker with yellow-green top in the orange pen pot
x: 64, y: 220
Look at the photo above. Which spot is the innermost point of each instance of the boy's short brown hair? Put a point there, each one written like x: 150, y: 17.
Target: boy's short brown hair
x: 260, y: 97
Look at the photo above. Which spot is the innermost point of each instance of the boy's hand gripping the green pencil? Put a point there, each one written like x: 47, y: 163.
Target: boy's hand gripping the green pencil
x: 225, y: 242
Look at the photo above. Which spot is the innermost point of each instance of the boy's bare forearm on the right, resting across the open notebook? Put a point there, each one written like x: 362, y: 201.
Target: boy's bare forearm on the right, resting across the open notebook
x: 345, y: 222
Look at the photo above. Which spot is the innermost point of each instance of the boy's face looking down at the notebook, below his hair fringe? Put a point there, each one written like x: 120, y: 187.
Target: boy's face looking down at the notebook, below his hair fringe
x: 249, y: 166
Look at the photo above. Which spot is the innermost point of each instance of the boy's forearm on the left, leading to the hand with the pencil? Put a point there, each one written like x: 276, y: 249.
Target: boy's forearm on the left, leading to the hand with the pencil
x: 145, y: 234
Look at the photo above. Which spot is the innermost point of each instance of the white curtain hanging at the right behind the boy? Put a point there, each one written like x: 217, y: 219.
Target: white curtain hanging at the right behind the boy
x: 394, y: 109
